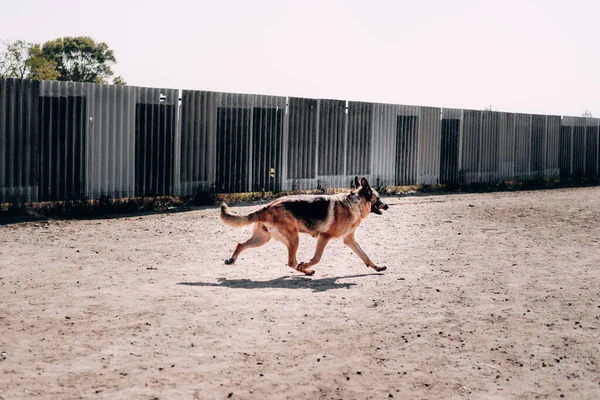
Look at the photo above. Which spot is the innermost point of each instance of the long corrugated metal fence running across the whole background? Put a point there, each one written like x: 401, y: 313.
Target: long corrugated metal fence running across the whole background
x: 61, y: 140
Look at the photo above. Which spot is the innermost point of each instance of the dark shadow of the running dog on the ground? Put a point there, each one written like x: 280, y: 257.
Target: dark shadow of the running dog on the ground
x: 284, y: 282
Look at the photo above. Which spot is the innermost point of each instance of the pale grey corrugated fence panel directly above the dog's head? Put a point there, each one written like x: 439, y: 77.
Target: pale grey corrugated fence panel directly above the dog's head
x: 383, y: 154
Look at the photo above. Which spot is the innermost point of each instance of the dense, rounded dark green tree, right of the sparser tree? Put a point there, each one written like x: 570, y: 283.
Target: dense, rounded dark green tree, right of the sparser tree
x: 80, y: 59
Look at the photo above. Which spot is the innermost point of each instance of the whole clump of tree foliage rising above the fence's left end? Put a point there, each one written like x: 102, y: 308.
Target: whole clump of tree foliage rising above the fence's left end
x: 75, y: 59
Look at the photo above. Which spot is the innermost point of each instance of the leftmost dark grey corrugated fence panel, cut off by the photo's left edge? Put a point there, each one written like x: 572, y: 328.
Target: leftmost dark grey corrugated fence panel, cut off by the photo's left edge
x: 18, y: 140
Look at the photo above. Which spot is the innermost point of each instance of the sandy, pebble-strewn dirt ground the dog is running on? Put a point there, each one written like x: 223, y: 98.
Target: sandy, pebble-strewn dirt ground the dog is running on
x: 486, y: 296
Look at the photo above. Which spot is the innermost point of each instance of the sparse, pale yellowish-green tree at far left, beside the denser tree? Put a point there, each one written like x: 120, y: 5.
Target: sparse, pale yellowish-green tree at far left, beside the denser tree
x: 23, y: 60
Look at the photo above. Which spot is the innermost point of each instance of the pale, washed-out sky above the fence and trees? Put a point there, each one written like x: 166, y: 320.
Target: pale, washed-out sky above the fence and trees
x: 529, y: 56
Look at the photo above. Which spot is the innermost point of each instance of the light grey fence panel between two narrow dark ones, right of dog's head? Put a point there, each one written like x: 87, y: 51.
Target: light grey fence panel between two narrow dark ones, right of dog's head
x: 428, y: 169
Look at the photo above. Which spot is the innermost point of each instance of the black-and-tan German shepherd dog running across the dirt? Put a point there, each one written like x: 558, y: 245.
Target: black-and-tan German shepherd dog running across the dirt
x: 325, y: 217
